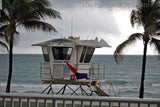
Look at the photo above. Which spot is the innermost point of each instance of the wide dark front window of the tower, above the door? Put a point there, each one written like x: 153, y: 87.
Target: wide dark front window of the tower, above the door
x: 62, y: 53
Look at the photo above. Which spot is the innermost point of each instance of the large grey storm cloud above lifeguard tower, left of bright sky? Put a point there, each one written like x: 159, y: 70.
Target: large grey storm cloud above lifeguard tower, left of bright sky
x: 89, y: 19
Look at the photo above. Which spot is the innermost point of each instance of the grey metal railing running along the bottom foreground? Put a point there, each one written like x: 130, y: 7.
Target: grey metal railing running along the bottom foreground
x: 38, y: 100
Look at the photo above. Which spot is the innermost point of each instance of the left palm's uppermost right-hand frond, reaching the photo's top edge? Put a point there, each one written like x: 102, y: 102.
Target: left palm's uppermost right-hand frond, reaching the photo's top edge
x: 37, y: 10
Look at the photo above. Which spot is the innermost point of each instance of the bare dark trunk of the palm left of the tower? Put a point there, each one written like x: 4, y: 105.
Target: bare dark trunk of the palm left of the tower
x: 10, y: 65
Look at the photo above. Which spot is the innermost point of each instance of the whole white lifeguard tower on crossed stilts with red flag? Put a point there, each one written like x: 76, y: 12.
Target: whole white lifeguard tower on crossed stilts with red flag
x: 67, y: 62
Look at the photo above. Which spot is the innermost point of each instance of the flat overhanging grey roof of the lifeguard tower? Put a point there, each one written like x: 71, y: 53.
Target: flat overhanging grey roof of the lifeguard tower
x: 64, y: 41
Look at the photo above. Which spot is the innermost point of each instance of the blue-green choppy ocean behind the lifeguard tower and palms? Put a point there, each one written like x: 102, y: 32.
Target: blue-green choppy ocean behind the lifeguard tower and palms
x: 124, y: 77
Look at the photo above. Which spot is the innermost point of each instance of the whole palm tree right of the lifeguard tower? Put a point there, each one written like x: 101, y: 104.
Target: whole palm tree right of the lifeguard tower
x: 147, y: 15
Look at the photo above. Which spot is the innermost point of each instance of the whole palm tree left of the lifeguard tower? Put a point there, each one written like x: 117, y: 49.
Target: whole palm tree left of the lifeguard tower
x: 27, y: 14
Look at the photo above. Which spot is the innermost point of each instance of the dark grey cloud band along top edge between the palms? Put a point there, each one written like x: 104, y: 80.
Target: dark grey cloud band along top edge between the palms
x: 62, y: 4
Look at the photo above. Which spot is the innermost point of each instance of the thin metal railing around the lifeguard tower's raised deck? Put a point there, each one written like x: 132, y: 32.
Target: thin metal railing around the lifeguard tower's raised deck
x: 96, y: 71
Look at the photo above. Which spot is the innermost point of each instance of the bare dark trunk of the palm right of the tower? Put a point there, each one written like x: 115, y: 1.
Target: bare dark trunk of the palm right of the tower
x: 141, y: 92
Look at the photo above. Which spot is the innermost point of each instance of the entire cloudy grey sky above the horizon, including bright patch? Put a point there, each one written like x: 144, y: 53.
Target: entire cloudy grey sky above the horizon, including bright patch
x: 107, y: 19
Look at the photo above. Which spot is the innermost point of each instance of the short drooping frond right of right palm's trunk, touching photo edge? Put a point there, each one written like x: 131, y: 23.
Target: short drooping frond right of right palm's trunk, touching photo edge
x: 156, y: 44
